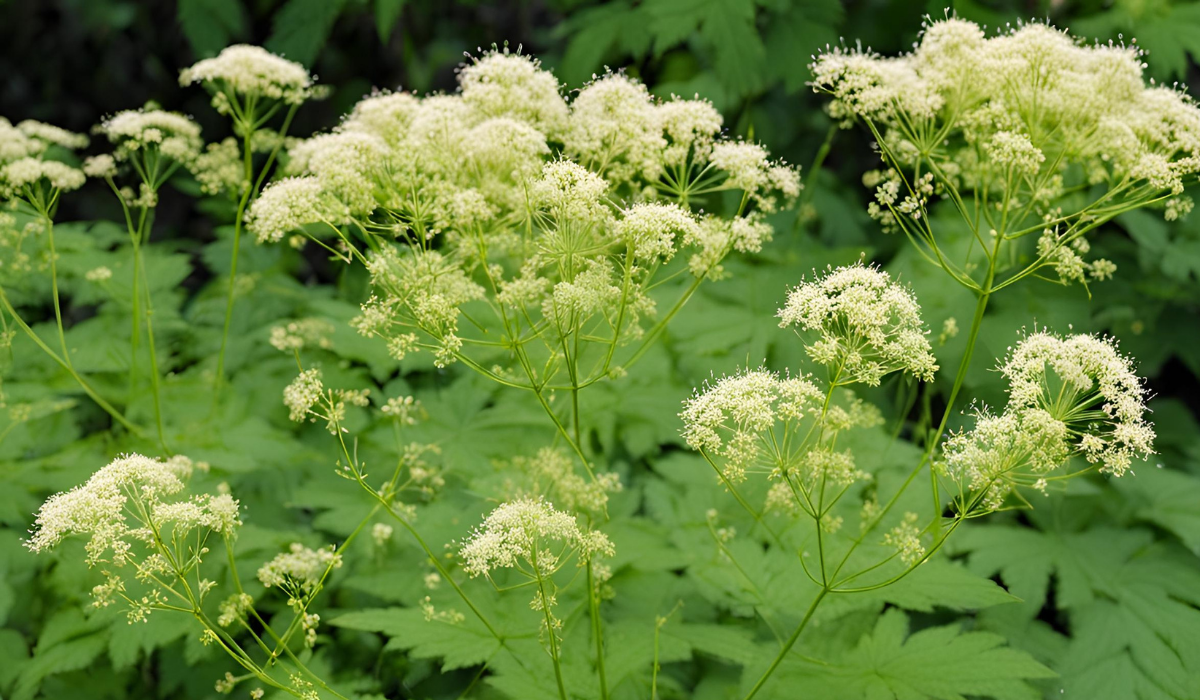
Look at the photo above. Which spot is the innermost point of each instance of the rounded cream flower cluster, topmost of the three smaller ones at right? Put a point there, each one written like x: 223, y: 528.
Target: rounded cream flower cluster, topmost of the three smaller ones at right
x: 867, y: 325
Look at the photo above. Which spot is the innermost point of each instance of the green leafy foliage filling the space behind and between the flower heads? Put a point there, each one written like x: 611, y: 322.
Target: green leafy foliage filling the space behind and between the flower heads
x: 1095, y: 594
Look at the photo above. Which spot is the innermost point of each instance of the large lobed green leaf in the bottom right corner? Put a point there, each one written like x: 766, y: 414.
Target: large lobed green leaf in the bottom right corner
x: 1131, y: 606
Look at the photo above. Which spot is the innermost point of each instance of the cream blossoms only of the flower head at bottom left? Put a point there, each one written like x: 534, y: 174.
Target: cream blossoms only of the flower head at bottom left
x: 135, y: 500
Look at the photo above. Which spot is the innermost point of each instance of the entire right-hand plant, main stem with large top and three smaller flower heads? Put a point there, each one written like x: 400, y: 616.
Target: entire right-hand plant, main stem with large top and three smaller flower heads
x: 1024, y: 133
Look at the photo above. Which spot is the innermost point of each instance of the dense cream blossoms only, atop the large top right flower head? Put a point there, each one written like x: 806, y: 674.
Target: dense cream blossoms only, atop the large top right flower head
x: 1000, y: 105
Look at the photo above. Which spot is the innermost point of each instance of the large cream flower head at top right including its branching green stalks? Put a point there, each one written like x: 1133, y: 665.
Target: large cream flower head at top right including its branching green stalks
x: 1034, y: 137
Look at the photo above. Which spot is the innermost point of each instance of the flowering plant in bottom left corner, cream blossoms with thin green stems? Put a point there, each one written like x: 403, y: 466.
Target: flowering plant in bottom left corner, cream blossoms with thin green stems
x: 153, y: 543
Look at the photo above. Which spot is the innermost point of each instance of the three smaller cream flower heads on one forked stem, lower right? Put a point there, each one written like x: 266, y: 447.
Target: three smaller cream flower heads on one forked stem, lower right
x: 1076, y: 405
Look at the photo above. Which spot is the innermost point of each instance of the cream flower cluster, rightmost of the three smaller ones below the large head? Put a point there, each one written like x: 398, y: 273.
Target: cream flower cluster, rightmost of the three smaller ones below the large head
x: 1069, y: 397
